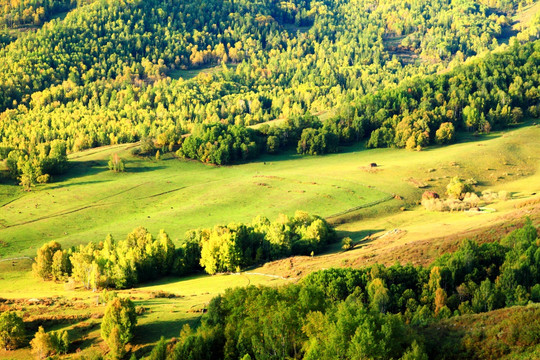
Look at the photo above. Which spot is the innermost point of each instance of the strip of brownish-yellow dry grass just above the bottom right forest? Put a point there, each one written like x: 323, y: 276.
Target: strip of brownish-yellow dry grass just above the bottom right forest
x: 390, y: 247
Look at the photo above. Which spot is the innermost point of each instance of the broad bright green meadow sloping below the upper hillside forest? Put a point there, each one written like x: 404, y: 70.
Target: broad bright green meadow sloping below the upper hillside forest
x: 178, y: 195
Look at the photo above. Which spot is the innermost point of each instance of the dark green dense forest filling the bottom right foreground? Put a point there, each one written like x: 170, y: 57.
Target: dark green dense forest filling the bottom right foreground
x: 376, y: 312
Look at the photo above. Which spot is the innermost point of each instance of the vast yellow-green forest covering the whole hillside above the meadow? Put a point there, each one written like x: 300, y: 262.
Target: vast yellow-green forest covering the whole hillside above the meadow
x: 107, y: 73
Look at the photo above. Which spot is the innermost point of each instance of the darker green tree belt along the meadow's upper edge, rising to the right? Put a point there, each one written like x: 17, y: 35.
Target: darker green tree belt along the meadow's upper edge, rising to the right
x: 491, y: 93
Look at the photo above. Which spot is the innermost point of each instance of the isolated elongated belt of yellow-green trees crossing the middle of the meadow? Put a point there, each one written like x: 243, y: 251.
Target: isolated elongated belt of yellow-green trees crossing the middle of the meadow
x: 141, y: 257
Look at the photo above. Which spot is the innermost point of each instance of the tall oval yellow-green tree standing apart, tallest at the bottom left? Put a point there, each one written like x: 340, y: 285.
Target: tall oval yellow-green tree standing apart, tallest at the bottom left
x: 118, y: 324
